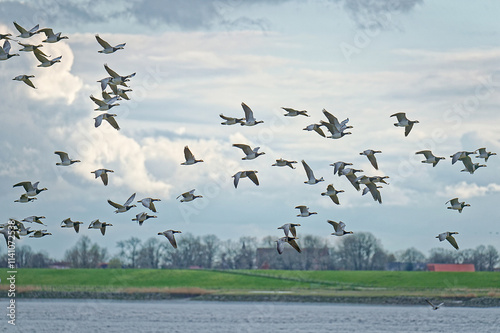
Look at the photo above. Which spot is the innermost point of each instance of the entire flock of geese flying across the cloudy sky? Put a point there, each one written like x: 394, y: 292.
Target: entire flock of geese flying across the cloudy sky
x: 330, y: 128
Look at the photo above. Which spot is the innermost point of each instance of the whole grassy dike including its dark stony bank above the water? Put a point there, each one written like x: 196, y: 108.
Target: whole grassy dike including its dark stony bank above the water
x: 379, y: 287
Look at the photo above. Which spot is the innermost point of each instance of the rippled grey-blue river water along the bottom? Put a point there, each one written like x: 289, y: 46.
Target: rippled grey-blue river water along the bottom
x: 217, y: 317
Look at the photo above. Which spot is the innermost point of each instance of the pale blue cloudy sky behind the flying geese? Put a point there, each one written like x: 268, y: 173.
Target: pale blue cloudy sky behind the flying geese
x: 363, y: 60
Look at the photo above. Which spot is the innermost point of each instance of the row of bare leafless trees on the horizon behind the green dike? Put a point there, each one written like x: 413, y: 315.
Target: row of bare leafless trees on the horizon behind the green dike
x: 361, y: 251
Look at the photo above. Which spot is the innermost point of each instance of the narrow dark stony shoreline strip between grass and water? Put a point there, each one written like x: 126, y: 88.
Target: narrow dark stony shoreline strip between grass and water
x: 216, y: 297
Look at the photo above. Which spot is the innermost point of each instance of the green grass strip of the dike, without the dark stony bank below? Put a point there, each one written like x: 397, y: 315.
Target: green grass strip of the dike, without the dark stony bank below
x: 355, y: 283
